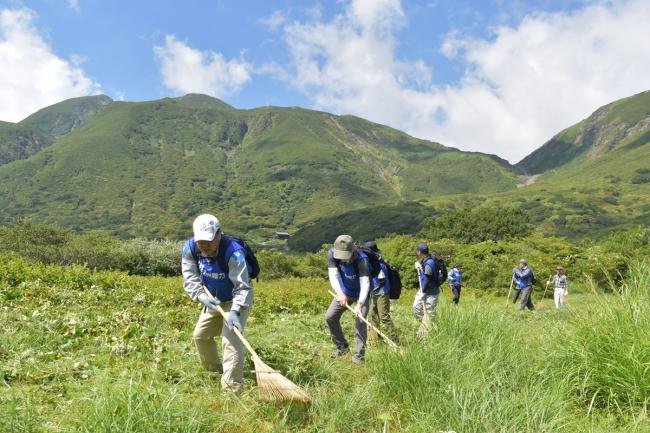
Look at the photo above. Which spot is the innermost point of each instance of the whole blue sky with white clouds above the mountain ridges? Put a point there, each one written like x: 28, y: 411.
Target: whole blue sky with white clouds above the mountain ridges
x: 478, y: 75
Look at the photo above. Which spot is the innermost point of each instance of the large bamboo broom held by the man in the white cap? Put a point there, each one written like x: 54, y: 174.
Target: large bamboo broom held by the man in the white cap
x: 271, y: 385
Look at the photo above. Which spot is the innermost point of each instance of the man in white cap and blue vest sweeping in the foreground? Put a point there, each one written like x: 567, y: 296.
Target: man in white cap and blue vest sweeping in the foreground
x: 218, y: 262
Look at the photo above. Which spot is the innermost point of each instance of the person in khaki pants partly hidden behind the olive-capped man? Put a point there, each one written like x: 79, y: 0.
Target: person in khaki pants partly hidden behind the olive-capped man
x: 379, y: 311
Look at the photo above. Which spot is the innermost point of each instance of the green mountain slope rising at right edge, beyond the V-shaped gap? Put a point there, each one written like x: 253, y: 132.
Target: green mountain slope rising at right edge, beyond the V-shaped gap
x: 589, y: 179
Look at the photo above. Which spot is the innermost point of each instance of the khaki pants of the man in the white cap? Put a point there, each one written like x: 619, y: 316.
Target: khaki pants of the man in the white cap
x: 210, y: 325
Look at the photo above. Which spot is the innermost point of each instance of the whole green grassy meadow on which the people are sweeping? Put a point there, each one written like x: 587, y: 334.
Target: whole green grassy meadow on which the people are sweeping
x: 104, y: 351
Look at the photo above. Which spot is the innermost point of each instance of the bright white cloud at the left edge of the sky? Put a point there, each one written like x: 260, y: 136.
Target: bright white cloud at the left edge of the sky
x: 32, y: 76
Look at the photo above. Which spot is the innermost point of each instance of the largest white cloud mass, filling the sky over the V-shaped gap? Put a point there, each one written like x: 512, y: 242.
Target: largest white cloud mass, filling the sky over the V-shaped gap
x: 520, y: 87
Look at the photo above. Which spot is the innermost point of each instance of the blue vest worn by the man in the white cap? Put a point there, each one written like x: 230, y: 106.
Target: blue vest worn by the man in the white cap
x: 214, y: 270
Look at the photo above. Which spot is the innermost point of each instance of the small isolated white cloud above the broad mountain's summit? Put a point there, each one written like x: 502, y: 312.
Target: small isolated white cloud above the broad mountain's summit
x: 188, y: 70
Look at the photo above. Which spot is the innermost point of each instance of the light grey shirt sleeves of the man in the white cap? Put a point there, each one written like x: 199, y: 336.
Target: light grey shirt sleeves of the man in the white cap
x: 237, y: 272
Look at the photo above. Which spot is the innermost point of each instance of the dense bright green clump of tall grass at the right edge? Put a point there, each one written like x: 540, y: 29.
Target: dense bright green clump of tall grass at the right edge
x: 606, y: 360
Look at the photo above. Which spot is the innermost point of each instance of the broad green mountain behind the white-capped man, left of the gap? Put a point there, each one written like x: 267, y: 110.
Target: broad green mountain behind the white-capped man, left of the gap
x: 146, y: 169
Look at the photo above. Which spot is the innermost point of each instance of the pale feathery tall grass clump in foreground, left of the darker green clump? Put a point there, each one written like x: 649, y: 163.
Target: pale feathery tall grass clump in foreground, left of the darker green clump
x: 480, y: 371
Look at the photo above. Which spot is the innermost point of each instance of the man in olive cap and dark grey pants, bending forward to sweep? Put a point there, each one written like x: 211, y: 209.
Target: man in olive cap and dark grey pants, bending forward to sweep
x: 349, y: 275
